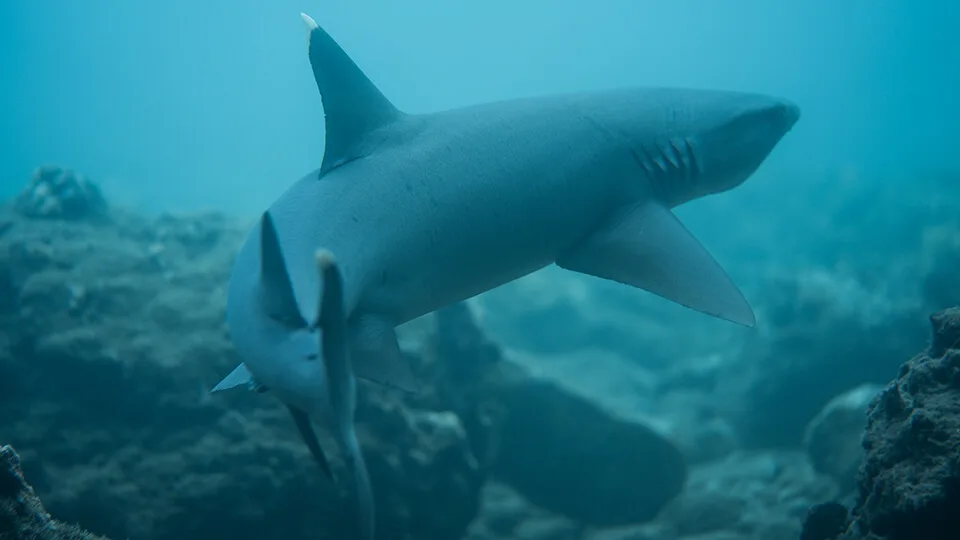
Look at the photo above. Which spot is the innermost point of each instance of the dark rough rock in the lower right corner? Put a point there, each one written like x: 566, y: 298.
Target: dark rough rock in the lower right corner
x: 909, y: 481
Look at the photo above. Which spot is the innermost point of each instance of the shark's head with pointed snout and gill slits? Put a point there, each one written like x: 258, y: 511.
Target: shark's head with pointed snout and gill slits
x: 692, y: 143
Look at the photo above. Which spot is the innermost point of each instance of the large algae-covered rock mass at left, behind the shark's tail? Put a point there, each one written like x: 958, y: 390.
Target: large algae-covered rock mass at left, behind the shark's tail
x: 111, y: 336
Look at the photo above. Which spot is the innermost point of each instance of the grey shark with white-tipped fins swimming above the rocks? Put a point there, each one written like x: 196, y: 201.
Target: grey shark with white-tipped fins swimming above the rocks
x: 408, y: 213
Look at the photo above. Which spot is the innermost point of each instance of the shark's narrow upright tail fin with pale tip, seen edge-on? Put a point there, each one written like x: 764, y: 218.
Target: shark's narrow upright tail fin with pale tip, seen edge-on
x: 341, y: 384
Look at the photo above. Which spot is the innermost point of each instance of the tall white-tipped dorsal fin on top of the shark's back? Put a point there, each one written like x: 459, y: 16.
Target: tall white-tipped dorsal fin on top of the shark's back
x: 352, y: 105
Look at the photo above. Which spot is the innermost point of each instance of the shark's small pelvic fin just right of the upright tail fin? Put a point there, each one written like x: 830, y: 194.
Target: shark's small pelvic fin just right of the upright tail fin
x: 376, y: 354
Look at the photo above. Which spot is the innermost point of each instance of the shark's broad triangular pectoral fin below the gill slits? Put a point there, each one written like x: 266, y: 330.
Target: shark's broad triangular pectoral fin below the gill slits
x: 646, y: 246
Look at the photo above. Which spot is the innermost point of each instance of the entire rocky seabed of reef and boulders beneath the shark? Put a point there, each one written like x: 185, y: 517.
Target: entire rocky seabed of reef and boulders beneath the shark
x: 554, y: 408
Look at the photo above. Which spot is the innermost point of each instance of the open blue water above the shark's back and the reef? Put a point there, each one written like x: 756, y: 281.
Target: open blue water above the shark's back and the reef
x: 186, y: 105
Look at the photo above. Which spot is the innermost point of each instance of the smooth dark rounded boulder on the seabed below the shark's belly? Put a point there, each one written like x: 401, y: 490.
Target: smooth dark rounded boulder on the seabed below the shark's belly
x: 547, y: 433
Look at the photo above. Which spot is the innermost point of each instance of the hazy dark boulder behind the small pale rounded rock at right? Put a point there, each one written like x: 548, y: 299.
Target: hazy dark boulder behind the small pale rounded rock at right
x: 824, y: 333
